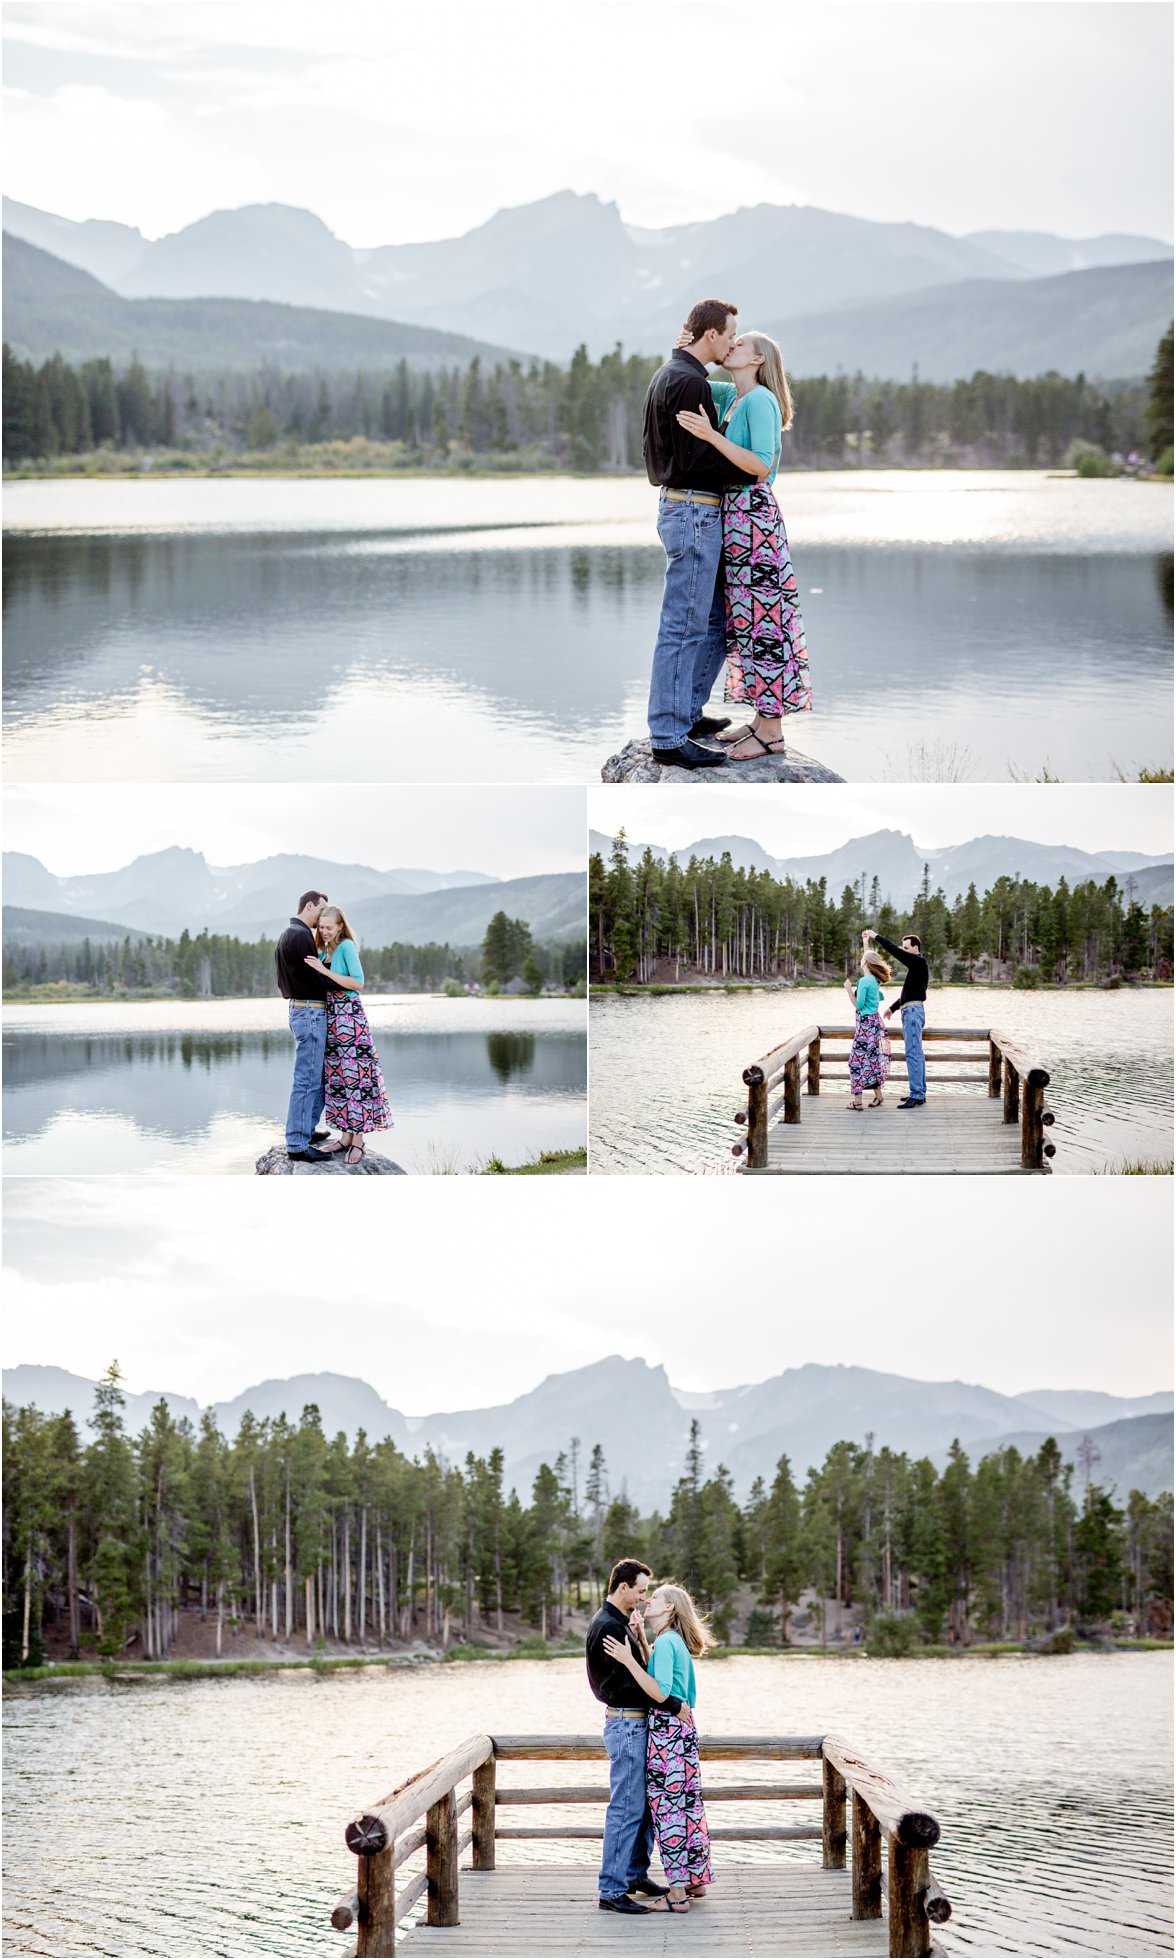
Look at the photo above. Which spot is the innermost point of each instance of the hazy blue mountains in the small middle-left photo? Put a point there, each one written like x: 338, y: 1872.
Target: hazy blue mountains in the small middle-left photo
x: 175, y: 889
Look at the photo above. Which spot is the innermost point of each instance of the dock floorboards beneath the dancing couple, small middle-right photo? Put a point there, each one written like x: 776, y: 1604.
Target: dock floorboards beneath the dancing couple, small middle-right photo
x: 950, y: 1134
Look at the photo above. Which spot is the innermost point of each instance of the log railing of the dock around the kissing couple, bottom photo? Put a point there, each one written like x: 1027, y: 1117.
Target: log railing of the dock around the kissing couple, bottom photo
x: 387, y: 1836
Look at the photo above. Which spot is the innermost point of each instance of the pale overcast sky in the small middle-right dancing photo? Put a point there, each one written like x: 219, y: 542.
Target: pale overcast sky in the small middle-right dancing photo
x: 795, y: 820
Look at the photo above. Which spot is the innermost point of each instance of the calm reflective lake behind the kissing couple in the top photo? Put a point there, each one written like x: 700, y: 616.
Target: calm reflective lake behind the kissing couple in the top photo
x: 959, y: 624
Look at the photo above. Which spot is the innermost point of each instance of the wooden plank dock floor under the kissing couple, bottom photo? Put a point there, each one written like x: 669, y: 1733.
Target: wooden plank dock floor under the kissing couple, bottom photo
x: 756, y: 1912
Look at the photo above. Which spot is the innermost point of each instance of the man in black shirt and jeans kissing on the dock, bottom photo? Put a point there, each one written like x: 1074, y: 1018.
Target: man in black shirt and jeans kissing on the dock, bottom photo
x: 628, y: 1826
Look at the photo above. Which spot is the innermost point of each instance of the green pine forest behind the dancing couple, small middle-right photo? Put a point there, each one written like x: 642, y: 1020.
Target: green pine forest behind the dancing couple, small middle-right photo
x: 716, y: 918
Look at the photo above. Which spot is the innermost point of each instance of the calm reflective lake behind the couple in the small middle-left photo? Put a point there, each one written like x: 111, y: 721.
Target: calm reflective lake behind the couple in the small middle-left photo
x: 205, y: 1085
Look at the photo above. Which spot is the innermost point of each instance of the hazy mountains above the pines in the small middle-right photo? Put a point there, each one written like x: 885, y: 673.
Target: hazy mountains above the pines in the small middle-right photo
x: 899, y: 863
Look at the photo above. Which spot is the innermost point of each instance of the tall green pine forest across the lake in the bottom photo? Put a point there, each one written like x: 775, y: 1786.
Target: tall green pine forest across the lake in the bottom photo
x: 295, y: 1536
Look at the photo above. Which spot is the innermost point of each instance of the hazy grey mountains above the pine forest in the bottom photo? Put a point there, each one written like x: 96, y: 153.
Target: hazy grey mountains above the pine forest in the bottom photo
x: 642, y: 1422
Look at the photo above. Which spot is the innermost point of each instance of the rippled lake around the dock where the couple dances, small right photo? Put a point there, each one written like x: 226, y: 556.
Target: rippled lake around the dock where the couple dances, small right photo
x: 667, y: 1069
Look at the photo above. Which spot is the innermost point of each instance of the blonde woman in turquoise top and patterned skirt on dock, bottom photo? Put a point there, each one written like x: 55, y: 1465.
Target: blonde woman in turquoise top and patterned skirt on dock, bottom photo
x: 673, y: 1779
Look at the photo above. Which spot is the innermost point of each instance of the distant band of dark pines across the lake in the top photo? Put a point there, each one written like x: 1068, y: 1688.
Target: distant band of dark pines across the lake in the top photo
x: 583, y: 416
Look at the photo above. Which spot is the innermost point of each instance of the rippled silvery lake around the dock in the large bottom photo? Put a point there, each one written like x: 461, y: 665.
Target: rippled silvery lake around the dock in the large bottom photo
x: 175, y: 1818
